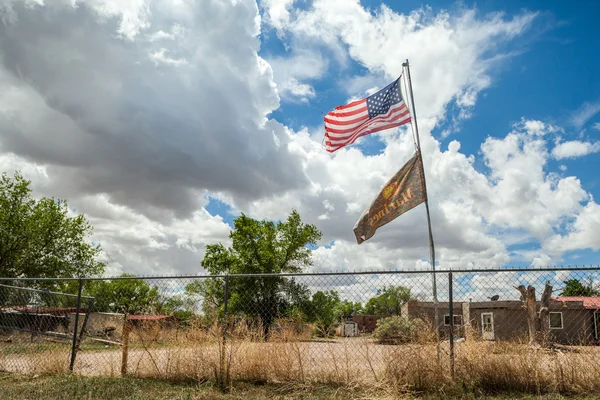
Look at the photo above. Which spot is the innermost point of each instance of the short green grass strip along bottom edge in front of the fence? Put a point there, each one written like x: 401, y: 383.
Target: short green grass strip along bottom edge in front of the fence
x: 18, y: 387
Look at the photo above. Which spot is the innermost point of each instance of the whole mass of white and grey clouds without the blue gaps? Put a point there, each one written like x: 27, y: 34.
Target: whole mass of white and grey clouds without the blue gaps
x: 131, y: 129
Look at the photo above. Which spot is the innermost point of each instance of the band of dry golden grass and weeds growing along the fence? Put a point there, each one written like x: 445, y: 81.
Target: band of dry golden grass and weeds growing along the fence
x: 243, y: 355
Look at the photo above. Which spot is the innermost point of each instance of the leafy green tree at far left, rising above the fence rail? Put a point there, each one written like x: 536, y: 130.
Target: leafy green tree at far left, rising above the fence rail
x: 39, y: 239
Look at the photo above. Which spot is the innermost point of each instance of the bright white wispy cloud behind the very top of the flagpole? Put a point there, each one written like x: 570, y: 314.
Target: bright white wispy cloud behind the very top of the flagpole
x: 450, y: 50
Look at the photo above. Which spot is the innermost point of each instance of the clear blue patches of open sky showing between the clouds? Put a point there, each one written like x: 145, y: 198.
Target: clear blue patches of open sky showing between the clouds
x: 549, y: 76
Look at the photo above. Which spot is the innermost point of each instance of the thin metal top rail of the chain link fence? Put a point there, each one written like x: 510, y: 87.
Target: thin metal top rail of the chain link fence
x: 300, y: 274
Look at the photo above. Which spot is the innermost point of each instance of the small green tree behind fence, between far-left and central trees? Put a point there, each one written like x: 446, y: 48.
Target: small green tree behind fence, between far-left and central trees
x: 130, y: 296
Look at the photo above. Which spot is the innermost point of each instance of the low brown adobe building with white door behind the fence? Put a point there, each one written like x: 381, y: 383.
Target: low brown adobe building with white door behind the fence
x: 573, y: 320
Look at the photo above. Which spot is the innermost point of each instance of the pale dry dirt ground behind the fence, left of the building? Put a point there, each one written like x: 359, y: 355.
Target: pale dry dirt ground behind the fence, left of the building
x: 360, y: 357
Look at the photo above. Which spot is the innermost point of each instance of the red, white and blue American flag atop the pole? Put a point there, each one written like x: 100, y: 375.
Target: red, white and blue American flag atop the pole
x: 382, y: 110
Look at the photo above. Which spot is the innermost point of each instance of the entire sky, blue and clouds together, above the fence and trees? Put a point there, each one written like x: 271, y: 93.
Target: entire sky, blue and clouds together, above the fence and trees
x: 162, y: 126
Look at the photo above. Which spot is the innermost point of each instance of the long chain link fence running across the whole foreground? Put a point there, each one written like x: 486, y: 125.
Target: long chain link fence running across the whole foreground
x: 536, y: 330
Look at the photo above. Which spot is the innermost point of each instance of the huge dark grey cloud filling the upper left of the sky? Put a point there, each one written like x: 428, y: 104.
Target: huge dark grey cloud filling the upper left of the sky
x: 146, y: 122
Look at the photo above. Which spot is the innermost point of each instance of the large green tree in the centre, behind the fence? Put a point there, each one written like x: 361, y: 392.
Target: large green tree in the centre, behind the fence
x: 260, y: 247
